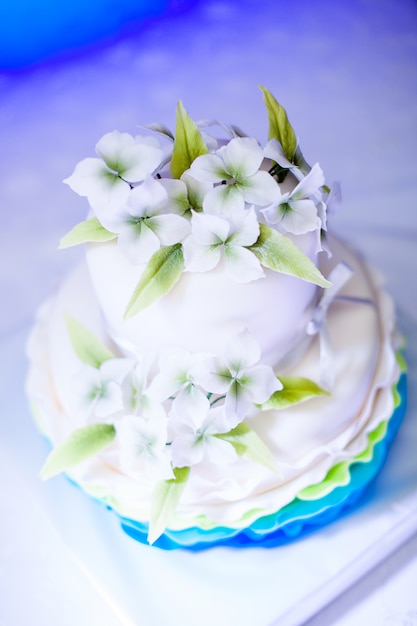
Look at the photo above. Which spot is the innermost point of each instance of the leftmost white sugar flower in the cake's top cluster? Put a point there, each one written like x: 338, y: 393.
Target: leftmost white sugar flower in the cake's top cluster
x: 124, y: 160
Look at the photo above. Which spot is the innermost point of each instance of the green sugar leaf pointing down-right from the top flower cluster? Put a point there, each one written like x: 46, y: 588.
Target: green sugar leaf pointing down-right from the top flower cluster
x: 280, y: 254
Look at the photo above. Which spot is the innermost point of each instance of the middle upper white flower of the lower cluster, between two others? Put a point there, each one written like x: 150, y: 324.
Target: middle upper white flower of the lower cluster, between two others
x: 176, y: 379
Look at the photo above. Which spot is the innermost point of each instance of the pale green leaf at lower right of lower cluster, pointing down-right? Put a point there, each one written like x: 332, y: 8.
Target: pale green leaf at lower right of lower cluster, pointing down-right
x: 250, y: 446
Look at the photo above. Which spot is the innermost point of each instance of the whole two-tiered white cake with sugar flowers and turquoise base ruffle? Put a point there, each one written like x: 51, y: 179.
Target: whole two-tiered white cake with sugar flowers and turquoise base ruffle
x: 218, y: 369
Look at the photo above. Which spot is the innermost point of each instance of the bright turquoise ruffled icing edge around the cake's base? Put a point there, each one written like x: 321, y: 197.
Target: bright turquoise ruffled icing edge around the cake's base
x: 295, y: 519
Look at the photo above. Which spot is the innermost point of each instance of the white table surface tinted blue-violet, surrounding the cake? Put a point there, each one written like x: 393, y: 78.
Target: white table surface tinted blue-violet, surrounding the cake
x: 347, y: 74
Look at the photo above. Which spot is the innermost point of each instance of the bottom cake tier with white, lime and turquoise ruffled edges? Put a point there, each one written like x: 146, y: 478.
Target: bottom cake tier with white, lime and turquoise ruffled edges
x: 328, y: 448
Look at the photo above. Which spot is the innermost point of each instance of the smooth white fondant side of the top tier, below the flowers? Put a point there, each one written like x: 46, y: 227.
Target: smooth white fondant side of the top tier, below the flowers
x: 203, y: 310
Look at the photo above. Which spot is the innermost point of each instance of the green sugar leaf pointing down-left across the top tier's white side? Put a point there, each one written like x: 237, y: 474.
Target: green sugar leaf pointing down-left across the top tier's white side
x: 160, y: 275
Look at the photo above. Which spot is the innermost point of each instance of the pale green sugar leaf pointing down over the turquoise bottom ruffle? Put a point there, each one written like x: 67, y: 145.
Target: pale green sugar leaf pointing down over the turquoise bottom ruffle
x: 165, y: 498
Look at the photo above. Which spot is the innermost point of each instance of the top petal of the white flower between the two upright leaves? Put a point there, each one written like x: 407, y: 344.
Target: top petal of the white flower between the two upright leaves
x: 242, y: 157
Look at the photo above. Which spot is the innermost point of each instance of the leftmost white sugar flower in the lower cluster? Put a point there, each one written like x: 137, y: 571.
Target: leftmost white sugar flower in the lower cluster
x: 98, y: 391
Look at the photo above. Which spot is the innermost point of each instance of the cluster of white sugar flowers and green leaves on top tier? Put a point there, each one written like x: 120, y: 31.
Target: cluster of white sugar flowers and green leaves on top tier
x: 218, y: 201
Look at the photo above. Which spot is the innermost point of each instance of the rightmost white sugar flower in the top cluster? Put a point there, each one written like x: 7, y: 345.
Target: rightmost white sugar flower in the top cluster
x: 296, y: 211
